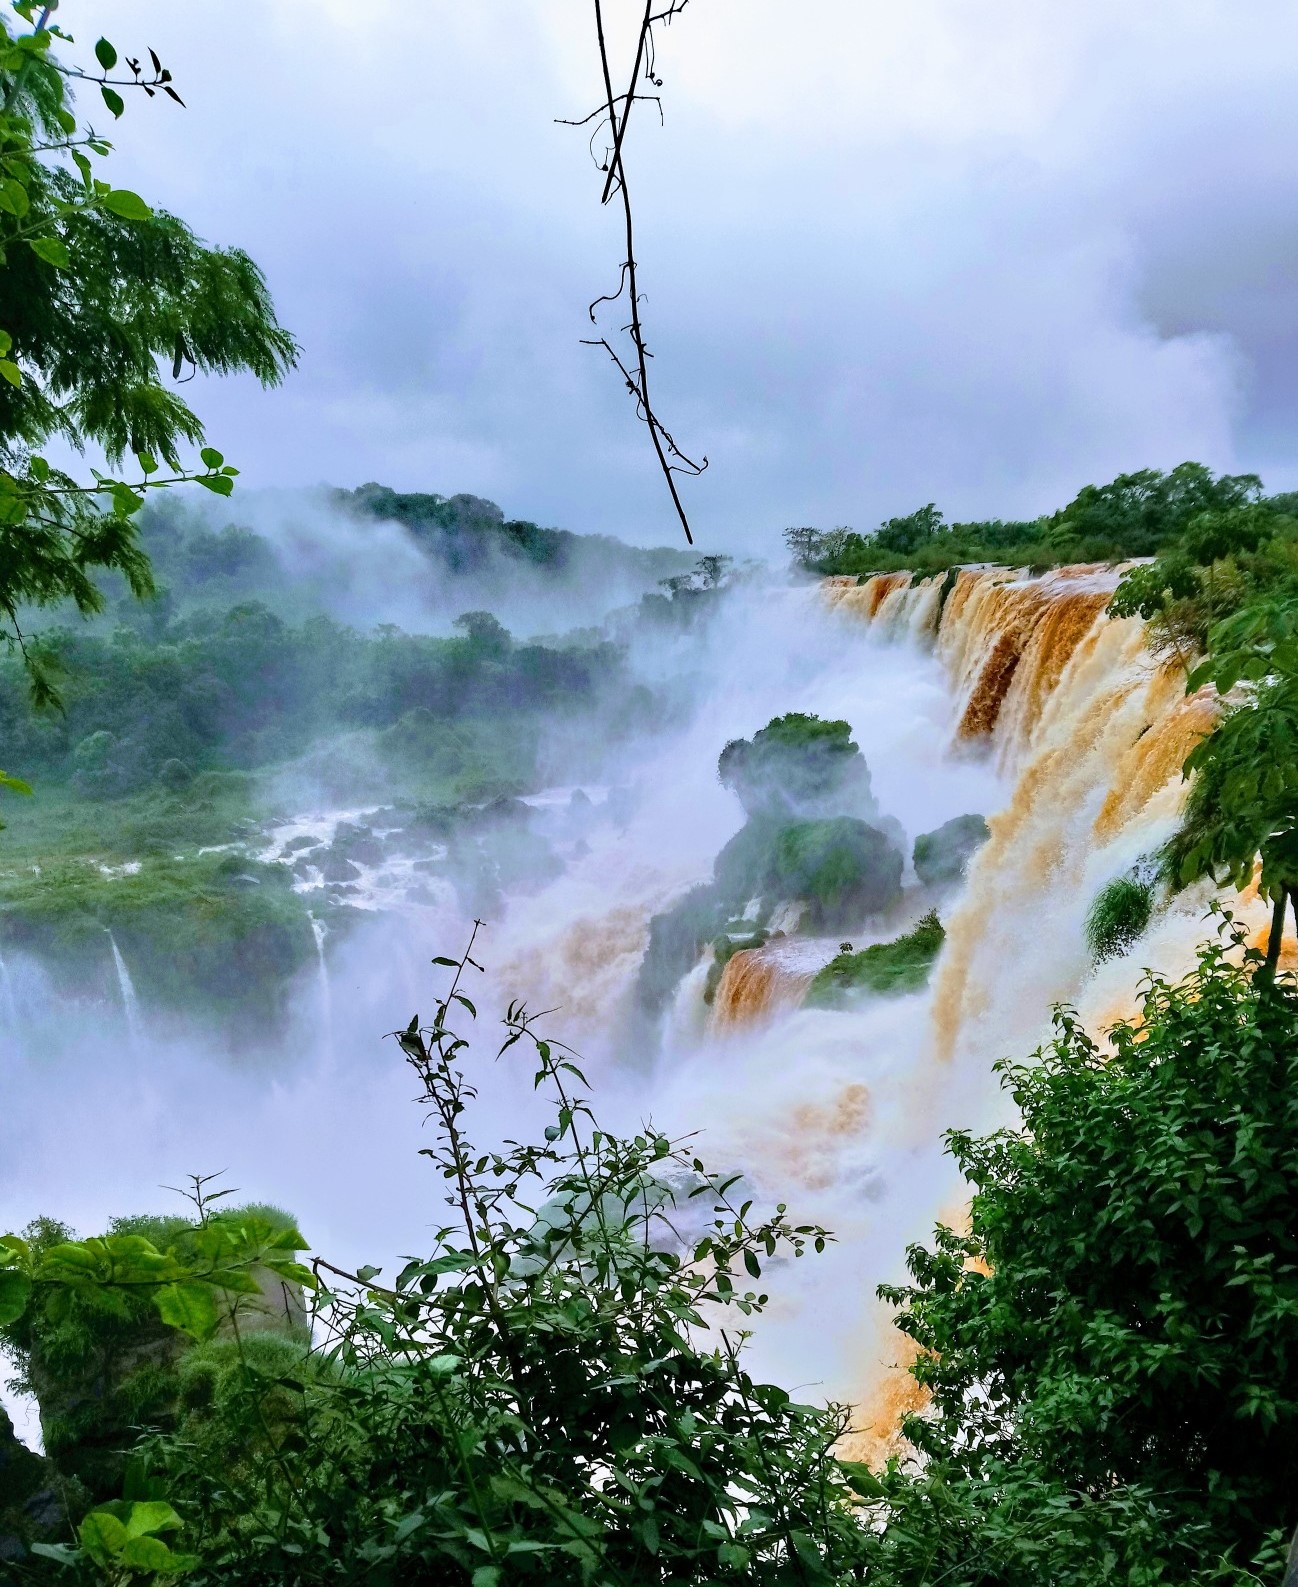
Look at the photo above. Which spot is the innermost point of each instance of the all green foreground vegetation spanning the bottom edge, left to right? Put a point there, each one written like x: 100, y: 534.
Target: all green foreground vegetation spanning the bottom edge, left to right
x: 555, y: 1394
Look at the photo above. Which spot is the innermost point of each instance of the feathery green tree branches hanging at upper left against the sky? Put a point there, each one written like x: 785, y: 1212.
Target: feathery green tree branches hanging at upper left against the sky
x: 98, y: 290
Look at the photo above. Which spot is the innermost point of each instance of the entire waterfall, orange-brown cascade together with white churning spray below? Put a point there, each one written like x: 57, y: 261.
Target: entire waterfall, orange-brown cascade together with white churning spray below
x: 1024, y: 704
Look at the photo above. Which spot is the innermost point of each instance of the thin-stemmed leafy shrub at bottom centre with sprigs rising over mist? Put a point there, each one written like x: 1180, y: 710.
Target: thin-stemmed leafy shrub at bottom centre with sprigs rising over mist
x: 537, y: 1401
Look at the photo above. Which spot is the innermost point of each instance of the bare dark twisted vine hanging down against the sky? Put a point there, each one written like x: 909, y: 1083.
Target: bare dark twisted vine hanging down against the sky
x: 607, y: 148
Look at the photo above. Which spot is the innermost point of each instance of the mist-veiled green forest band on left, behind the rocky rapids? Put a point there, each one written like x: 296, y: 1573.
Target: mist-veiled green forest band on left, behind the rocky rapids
x: 242, y: 688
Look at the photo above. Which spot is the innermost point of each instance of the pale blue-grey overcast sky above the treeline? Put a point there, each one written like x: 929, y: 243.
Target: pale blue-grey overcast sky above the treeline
x: 970, y: 252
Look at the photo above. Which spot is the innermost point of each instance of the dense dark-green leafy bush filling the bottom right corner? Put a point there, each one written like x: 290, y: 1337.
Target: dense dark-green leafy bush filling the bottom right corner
x: 1112, y: 1353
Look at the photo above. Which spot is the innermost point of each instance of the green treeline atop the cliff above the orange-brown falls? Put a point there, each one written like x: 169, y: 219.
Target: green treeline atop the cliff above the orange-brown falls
x: 1137, y: 515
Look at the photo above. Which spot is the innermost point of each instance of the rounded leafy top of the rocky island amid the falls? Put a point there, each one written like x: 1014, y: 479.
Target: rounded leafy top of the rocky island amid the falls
x: 797, y: 766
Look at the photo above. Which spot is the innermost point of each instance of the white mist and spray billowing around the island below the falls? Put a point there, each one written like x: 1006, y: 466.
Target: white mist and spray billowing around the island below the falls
x: 317, y: 1115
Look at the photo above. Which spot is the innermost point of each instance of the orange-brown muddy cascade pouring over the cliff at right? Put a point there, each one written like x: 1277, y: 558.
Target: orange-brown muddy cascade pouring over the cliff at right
x: 1091, y: 732
